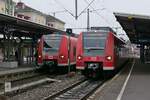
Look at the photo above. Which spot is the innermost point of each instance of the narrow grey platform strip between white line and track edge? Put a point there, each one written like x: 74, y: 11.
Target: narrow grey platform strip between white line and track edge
x: 111, y: 89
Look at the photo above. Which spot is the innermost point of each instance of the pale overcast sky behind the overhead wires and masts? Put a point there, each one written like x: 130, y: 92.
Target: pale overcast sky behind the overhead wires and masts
x: 102, y: 17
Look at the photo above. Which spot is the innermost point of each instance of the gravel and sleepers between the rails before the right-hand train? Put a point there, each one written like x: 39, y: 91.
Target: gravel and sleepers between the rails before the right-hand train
x: 79, y: 92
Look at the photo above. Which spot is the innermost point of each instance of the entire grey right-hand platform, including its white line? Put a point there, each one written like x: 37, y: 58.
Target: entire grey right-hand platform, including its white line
x: 133, y: 83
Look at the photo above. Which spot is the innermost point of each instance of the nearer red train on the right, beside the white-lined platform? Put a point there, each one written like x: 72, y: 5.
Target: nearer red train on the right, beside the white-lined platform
x: 98, y: 52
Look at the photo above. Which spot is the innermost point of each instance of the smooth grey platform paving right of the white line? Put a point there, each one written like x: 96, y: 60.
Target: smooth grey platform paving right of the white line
x: 138, y: 86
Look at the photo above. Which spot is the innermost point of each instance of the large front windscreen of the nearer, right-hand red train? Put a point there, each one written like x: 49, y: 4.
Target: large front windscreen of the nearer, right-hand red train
x: 94, y: 43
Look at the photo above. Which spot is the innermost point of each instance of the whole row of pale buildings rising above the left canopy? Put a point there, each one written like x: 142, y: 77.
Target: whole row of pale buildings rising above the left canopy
x: 25, y: 12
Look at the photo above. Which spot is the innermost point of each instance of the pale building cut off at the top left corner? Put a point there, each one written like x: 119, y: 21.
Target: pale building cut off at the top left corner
x: 7, y: 7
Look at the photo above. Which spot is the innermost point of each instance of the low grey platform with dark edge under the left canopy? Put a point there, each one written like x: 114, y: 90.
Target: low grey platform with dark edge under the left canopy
x: 9, y: 74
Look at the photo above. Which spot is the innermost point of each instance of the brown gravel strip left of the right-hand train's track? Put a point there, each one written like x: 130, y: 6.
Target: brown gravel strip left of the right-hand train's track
x: 45, y: 90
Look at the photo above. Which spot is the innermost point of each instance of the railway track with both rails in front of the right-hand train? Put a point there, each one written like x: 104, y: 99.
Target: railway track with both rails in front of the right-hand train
x: 79, y: 91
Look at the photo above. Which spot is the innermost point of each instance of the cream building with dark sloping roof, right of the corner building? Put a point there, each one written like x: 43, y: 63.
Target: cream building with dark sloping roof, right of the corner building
x: 28, y: 13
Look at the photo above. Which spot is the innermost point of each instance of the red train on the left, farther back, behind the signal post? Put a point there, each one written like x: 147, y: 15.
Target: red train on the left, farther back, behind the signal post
x: 53, y: 51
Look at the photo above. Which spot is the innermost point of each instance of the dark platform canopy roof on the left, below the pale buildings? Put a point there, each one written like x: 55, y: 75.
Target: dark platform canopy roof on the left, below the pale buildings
x: 21, y: 27
